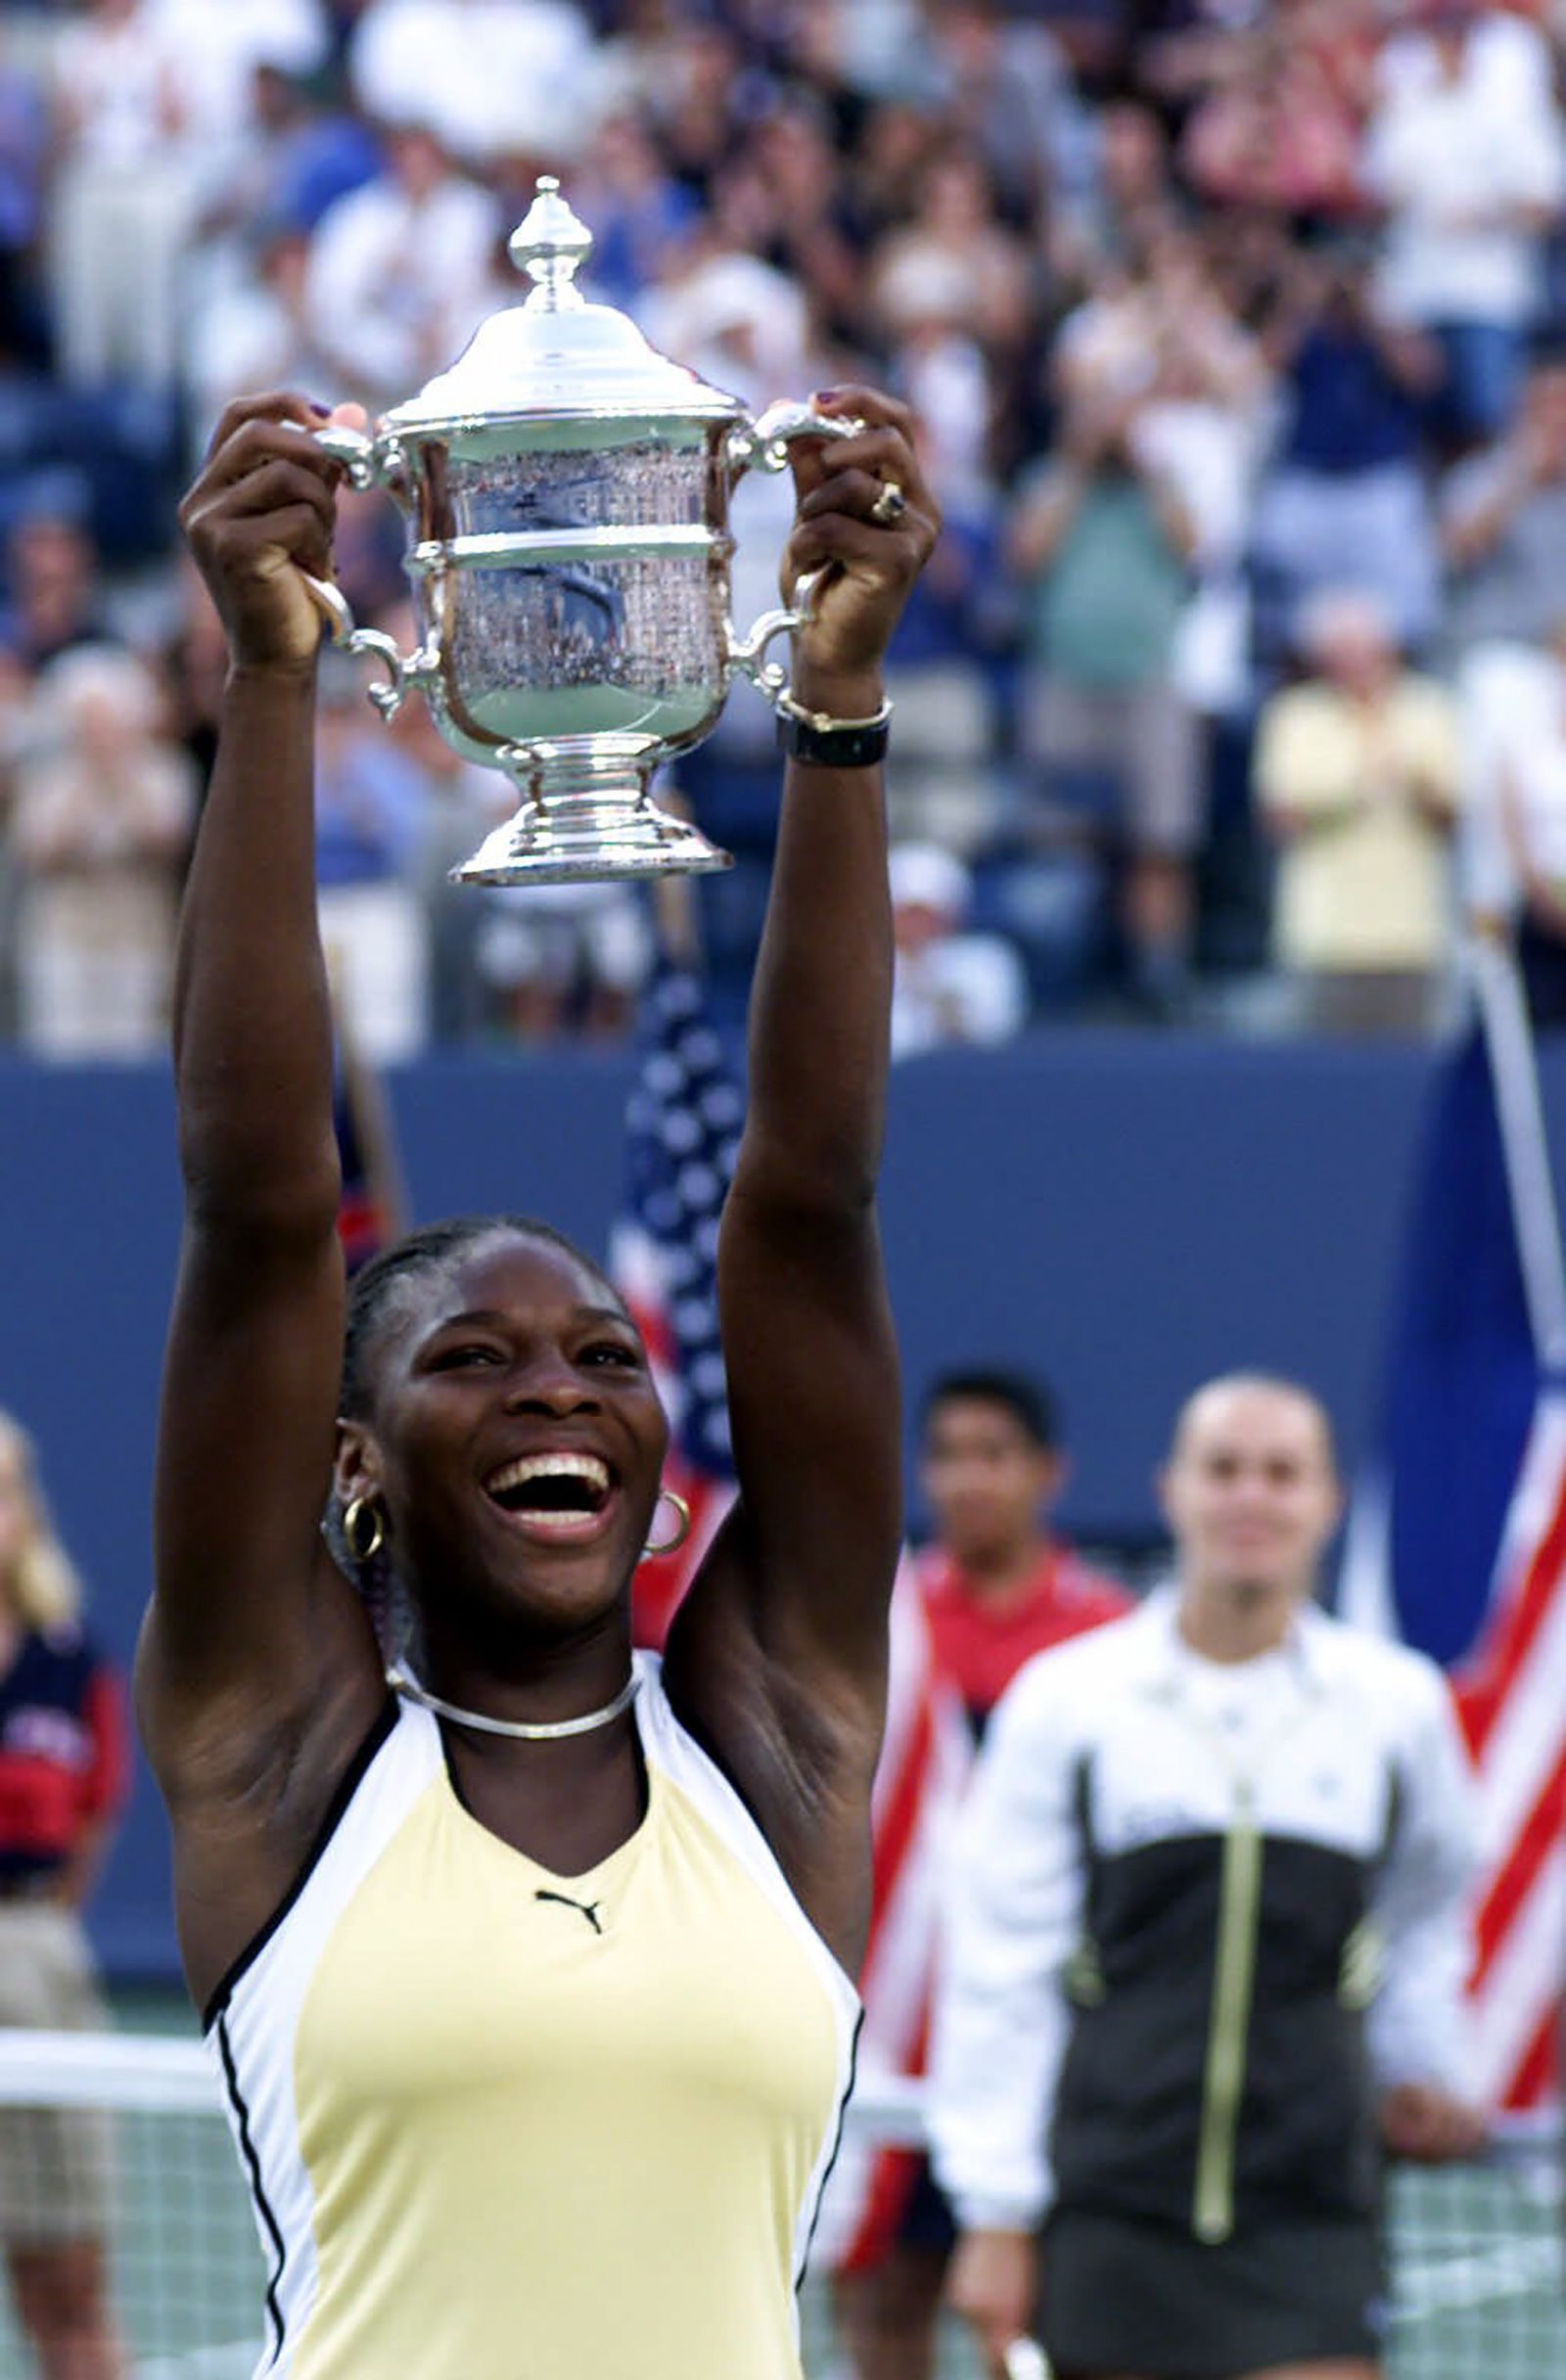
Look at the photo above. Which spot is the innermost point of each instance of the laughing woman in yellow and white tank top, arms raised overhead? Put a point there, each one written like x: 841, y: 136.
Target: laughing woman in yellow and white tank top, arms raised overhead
x: 525, y: 1960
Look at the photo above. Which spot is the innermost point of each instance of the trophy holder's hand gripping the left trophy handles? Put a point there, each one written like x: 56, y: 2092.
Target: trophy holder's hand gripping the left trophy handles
x: 256, y: 518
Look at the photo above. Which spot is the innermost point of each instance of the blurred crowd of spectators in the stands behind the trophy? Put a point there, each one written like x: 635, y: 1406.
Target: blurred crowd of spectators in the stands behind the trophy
x: 1239, y: 342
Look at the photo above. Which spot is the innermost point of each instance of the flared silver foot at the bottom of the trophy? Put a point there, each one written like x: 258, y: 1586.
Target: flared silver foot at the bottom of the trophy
x: 589, y: 818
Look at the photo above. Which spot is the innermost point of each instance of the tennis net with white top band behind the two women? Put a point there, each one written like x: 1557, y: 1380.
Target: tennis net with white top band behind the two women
x: 1479, y: 2284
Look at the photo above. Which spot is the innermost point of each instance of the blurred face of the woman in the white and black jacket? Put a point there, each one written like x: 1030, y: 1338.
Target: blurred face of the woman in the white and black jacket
x: 1251, y: 1491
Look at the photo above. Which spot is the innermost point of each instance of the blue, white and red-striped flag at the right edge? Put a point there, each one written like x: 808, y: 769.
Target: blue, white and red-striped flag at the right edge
x: 1460, y: 1536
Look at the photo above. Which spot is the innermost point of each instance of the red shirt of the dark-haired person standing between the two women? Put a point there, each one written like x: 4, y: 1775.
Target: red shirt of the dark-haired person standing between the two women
x: 982, y: 1646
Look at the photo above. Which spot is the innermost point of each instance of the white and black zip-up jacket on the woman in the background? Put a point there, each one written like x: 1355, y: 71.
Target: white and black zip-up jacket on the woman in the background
x: 1329, y: 1784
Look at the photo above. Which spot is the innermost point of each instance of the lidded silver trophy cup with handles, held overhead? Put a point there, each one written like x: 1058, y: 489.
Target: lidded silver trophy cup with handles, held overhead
x: 565, y: 491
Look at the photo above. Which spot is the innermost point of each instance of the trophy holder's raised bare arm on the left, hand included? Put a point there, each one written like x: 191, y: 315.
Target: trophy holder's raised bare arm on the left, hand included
x: 253, y: 1641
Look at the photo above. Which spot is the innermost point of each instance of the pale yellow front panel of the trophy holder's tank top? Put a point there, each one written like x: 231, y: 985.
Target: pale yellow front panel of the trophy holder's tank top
x: 560, y: 2129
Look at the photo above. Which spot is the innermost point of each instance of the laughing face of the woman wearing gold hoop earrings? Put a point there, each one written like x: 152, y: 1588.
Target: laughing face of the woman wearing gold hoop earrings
x: 515, y: 1441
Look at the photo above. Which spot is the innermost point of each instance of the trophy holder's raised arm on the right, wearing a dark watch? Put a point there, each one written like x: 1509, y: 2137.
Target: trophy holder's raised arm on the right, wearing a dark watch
x: 806, y: 1567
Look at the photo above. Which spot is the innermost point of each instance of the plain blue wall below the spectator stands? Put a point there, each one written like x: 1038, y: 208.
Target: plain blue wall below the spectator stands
x: 1127, y: 1213
